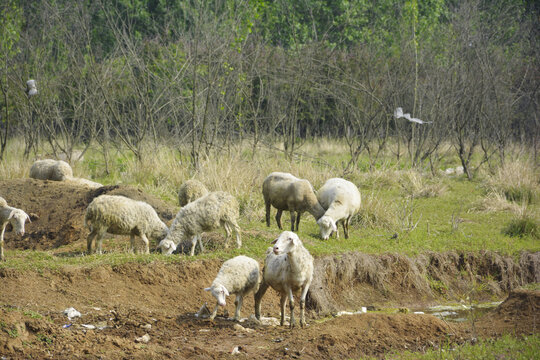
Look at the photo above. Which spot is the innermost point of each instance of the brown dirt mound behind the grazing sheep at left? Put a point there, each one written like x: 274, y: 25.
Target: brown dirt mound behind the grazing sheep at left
x: 57, y: 210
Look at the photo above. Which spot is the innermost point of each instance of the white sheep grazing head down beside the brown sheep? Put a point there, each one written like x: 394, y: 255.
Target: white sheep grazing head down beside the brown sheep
x: 342, y: 199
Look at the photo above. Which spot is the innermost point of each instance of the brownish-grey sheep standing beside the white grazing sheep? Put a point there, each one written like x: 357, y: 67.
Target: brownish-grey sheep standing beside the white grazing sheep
x: 286, y: 192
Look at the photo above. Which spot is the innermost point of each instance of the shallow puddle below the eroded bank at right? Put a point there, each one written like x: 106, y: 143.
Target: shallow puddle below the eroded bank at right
x: 459, y: 312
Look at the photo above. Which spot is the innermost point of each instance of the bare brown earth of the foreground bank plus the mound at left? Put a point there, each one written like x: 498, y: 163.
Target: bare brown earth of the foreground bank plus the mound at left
x: 127, y: 301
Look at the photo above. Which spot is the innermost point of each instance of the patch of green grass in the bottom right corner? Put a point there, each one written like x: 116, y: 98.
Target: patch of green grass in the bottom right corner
x: 505, y: 347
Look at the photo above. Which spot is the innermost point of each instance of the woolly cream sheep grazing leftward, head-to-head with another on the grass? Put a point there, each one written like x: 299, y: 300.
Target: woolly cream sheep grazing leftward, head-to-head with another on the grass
x: 204, y: 214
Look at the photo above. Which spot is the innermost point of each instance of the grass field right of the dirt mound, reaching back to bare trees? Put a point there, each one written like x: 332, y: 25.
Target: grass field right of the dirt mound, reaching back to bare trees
x: 403, y: 210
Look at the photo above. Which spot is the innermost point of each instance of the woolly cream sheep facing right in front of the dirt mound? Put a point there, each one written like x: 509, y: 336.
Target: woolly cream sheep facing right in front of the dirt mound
x: 119, y: 215
